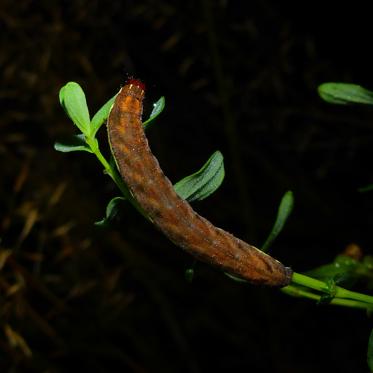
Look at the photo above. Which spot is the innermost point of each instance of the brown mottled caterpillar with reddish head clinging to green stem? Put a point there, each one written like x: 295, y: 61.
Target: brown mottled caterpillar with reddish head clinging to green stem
x: 171, y: 214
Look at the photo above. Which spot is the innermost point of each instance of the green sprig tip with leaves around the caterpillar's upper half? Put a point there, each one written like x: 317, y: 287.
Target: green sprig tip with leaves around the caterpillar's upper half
x: 193, y: 187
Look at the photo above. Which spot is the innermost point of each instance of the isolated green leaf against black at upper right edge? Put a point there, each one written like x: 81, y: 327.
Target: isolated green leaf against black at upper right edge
x: 343, y: 93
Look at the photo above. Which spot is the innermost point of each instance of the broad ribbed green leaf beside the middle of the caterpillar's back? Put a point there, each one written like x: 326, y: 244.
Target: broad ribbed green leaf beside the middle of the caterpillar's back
x: 204, y: 182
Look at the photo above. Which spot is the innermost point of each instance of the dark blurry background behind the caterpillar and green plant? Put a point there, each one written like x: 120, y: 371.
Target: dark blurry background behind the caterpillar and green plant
x: 240, y: 77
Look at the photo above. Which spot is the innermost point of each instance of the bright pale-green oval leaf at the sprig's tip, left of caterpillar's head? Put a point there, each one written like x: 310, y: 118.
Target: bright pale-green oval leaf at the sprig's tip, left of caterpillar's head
x: 73, y: 100
